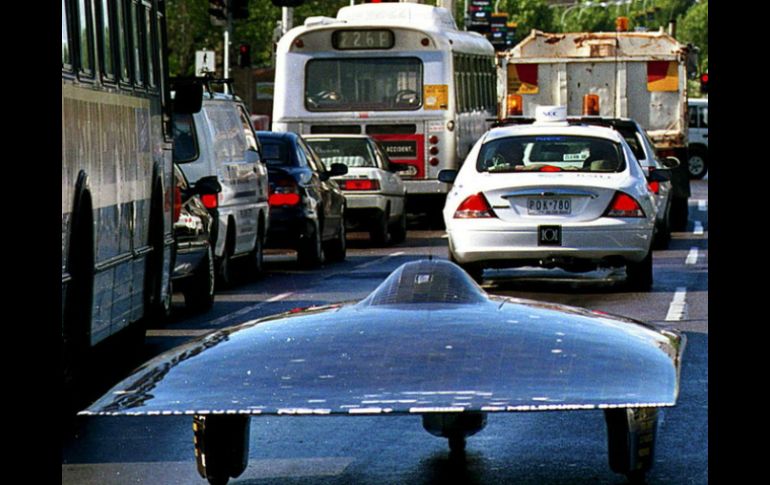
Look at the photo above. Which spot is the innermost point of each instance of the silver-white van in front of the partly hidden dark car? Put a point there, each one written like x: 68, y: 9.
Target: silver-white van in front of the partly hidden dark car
x: 220, y: 140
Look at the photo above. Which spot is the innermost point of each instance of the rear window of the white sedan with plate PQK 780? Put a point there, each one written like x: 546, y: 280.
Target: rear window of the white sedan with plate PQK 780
x: 550, y: 154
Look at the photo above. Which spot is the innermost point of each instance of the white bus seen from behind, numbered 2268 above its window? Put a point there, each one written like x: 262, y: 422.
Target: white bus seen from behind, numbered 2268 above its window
x: 400, y: 72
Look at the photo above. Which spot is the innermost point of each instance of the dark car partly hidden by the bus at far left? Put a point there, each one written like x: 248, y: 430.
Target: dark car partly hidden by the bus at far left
x: 194, y: 272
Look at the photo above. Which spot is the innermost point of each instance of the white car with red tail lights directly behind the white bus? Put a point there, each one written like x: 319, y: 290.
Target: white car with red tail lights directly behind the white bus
x: 374, y: 193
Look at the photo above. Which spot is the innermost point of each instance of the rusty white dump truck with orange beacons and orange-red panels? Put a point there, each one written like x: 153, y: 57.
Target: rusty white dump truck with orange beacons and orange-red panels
x: 632, y: 75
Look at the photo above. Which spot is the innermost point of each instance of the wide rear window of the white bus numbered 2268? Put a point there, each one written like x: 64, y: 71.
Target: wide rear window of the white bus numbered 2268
x: 371, y: 84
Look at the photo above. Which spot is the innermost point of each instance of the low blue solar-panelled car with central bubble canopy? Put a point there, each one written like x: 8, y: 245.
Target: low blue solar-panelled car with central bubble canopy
x: 428, y: 341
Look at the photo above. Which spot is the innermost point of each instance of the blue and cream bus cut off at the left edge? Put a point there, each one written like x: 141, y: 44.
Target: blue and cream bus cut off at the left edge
x: 117, y: 186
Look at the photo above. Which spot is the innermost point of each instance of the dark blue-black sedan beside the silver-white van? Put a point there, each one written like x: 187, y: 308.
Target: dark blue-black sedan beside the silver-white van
x: 307, y: 210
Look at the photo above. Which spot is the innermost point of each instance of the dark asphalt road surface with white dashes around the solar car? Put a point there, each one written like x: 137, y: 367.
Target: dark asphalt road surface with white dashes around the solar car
x: 523, y: 448
